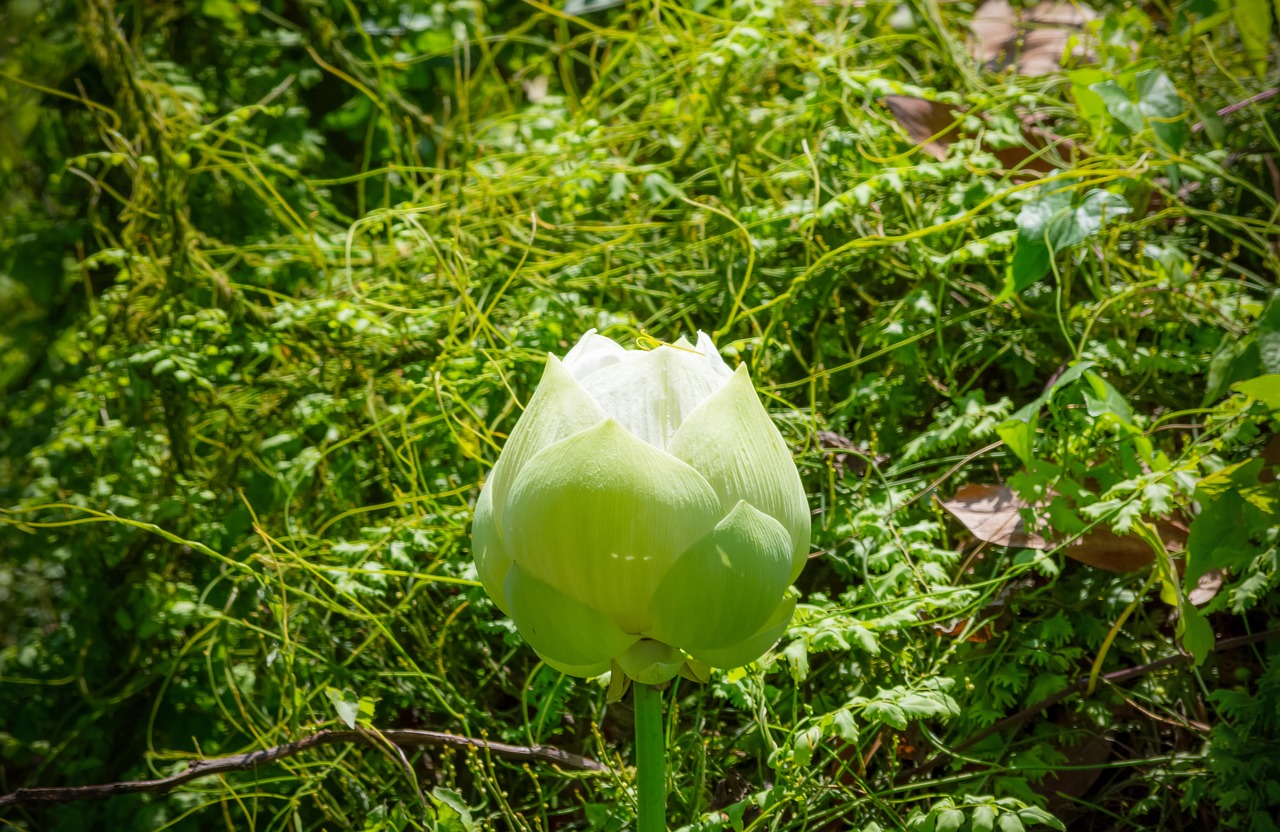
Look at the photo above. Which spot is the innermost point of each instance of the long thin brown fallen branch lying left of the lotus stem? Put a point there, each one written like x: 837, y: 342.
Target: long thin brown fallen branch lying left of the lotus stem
x: 253, y: 760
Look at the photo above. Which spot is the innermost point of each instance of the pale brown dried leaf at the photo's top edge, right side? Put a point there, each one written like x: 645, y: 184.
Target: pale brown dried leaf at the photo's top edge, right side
x: 1044, y: 33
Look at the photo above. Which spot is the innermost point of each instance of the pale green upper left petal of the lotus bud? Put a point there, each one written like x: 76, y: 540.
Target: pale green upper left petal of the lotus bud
x: 559, y: 409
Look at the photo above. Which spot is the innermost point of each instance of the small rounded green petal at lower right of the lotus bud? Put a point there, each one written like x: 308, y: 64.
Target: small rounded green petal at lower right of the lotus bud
x: 728, y: 586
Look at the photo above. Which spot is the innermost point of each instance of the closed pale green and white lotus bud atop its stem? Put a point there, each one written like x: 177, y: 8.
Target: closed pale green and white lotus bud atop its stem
x: 644, y: 515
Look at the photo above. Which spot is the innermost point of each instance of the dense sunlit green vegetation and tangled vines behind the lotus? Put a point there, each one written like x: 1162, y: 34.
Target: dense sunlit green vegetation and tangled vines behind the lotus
x: 277, y: 276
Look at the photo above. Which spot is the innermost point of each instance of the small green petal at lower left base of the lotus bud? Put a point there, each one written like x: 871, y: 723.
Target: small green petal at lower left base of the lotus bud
x: 563, y: 629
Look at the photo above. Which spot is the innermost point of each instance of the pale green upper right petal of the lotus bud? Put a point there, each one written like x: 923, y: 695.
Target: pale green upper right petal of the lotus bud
x: 732, y: 442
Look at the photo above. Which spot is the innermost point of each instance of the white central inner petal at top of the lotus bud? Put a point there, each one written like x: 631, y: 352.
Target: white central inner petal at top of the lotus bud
x: 652, y: 394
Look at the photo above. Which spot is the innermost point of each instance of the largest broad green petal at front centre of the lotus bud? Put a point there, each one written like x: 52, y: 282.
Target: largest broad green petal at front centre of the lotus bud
x: 602, y: 516
